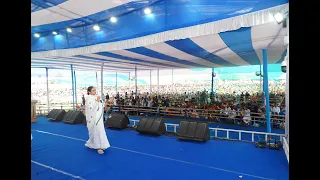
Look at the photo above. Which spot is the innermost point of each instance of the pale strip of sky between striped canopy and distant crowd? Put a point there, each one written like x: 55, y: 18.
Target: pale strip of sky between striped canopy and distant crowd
x: 84, y: 78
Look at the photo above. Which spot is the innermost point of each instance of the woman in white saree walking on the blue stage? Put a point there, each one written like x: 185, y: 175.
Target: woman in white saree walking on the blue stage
x: 94, y: 115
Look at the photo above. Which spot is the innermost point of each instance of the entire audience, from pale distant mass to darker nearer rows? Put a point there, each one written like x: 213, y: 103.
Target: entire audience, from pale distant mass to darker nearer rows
x: 240, y: 101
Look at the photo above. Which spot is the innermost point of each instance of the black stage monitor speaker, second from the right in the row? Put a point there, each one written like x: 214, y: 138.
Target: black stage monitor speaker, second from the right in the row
x: 151, y: 125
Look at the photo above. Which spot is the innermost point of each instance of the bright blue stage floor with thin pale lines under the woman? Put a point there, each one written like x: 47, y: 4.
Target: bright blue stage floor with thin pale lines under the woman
x: 58, y: 152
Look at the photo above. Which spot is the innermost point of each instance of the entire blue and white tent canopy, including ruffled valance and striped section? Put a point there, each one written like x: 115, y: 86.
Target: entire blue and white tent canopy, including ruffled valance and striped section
x: 178, y: 34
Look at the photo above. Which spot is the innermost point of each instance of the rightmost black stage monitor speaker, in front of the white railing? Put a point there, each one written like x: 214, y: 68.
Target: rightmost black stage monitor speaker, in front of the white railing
x: 195, y: 131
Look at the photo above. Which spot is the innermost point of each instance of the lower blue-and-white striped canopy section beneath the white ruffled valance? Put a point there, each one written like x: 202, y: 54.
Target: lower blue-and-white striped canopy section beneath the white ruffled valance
x: 234, y: 48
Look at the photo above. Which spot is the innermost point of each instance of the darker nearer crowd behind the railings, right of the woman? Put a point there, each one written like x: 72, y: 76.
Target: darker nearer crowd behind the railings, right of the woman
x: 243, y: 109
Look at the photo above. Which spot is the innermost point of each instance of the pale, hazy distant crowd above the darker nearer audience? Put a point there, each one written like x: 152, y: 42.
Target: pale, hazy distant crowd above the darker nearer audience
x: 62, y: 94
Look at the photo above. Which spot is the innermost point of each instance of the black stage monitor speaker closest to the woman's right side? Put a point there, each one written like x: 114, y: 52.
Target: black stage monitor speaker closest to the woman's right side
x: 118, y: 121
